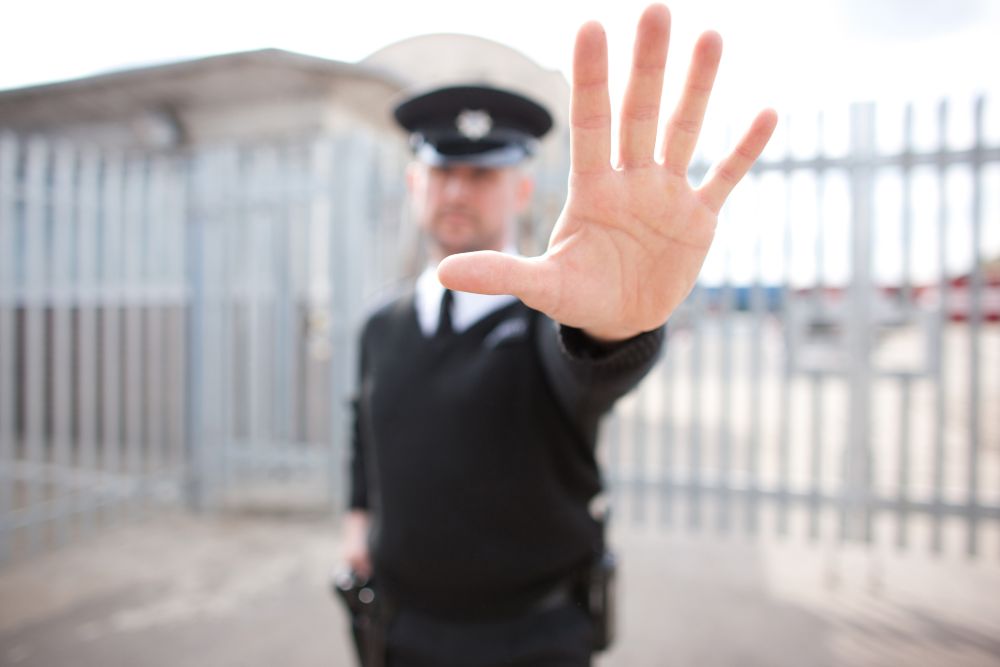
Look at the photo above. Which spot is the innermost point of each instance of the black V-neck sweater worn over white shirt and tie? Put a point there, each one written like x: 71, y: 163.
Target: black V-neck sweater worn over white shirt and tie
x: 475, y: 454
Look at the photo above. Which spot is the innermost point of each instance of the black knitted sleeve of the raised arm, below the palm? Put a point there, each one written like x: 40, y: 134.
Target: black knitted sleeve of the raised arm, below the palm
x: 588, y: 376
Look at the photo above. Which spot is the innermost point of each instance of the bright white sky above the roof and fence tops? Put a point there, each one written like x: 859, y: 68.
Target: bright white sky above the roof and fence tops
x: 779, y: 53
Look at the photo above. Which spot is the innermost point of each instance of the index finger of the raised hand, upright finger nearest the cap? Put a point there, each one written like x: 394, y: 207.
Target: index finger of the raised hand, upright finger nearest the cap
x: 590, y: 104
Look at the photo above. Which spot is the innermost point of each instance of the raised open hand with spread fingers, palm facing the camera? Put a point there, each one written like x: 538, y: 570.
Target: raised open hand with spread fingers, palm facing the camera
x: 631, y: 239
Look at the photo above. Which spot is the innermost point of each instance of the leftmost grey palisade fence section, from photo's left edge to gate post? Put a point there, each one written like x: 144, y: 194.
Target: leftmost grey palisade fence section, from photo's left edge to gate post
x: 93, y: 301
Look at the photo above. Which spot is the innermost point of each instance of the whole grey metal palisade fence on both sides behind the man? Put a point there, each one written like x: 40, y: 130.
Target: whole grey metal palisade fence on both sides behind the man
x: 180, y: 329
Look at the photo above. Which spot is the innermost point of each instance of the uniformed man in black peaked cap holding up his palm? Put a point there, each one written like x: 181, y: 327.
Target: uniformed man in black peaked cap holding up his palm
x: 481, y: 390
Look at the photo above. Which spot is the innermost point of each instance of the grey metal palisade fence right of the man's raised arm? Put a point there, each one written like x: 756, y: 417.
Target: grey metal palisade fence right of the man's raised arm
x: 835, y: 373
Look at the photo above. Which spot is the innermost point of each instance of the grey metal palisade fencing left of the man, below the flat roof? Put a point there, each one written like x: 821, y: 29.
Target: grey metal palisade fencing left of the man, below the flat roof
x: 169, y: 327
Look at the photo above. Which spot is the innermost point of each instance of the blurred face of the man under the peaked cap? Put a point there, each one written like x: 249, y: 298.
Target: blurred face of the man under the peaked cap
x: 464, y: 207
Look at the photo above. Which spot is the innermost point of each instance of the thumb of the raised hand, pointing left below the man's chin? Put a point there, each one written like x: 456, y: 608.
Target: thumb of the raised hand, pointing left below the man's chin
x: 490, y: 272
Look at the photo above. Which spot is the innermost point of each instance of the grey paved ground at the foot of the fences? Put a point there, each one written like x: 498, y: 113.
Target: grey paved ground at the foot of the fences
x: 249, y: 591
